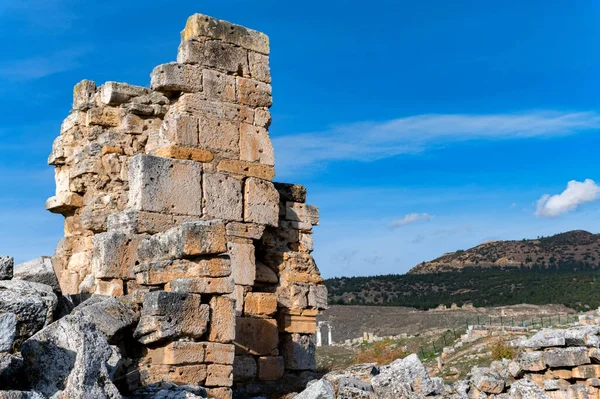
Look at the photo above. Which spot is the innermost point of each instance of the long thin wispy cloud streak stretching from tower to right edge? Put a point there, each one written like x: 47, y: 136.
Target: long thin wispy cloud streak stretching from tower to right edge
x: 371, y: 141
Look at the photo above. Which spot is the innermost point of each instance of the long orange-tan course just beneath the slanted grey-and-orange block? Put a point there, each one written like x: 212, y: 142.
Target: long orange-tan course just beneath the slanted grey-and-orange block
x: 161, y: 272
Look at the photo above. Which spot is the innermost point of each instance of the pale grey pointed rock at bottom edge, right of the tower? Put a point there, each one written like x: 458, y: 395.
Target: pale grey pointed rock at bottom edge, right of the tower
x: 401, y: 377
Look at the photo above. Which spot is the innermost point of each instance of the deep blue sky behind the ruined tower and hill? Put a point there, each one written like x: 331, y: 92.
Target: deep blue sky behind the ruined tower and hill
x: 418, y: 127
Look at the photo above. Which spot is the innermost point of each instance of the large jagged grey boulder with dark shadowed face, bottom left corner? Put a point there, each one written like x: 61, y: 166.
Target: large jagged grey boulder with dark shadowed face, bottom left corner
x: 73, y: 357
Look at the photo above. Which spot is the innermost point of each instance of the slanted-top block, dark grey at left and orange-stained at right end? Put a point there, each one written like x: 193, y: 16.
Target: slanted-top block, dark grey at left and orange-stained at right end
x: 187, y: 240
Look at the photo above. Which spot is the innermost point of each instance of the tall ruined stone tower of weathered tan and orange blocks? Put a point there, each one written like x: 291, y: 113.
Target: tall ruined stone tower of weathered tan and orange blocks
x: 169, y: 203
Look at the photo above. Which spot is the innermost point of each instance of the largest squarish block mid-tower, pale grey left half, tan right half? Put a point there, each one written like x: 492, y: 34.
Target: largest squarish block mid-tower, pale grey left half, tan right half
x: 165, y: 185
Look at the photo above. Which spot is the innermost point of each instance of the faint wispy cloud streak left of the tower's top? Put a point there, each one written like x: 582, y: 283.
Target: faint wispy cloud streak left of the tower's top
x: 41, y: 66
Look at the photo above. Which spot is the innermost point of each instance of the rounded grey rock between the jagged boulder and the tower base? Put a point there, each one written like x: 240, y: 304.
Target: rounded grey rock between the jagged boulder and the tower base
x: 111, y: 317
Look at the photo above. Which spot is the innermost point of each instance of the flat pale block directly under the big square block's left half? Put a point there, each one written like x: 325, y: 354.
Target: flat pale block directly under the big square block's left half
x: 139, y: 222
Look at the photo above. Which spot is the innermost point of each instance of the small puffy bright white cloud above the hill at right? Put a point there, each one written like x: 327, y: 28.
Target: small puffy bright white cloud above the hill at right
x: 574, y: 195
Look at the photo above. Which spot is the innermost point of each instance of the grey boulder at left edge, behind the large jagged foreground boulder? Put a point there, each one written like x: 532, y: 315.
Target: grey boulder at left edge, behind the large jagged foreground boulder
x: 32, y: 303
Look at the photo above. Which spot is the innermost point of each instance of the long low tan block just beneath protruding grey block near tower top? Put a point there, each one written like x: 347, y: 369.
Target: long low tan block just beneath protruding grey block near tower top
x: 197, y: 104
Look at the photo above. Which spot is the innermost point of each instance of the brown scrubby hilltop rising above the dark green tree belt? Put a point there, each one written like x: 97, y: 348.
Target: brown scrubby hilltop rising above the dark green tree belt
x: 546, y: 252
